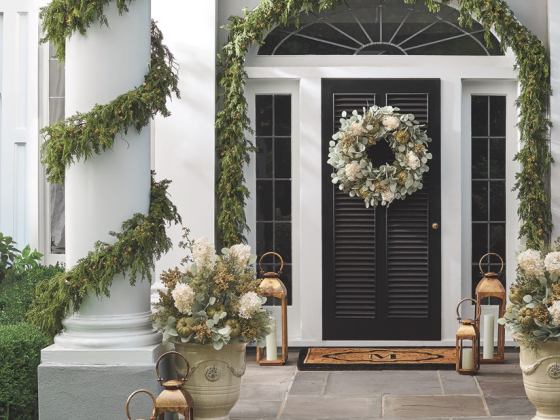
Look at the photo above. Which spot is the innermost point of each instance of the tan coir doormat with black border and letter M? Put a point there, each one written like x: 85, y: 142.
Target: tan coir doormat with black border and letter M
x: 377, y: 358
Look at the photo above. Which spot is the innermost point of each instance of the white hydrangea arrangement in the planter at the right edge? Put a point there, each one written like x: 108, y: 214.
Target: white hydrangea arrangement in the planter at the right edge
x: 535, y: 296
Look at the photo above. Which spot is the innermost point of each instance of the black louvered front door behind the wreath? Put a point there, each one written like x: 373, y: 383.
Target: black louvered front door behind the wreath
x: 381, y: 267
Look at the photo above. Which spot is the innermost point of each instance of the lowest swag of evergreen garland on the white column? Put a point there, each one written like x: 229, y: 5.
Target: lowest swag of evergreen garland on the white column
x: 143, y: 239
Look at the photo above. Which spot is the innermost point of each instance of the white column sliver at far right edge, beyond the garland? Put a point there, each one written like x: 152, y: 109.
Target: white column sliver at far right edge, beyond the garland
x: 554, y: 48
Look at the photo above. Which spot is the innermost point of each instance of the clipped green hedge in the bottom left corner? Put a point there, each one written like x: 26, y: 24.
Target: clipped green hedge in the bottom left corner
x: 20, y: 347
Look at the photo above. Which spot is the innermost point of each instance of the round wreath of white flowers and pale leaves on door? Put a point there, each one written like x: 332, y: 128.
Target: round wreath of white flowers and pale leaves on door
x: 354, y: 171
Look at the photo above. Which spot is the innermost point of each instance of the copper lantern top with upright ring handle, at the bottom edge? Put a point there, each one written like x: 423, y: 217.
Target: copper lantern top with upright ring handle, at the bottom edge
x: 174, y: 398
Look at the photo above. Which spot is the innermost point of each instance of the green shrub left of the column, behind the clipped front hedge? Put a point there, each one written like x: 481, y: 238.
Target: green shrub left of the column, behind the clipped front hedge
x: 17, y: 291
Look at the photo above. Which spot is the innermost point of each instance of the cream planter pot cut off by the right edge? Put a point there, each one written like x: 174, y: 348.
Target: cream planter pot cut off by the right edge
x: 541, y: 377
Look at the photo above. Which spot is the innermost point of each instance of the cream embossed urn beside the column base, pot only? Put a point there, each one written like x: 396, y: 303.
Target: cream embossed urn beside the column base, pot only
x: 215, y: 378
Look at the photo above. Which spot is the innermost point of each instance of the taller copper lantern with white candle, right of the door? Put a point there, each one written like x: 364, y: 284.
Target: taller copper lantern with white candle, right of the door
x: 491, y: 287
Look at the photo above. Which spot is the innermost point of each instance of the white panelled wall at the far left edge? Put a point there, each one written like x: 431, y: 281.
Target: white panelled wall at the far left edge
x: 19, y: 121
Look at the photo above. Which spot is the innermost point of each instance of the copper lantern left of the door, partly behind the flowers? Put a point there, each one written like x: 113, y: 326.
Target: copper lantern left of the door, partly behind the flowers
x: 272, y: 286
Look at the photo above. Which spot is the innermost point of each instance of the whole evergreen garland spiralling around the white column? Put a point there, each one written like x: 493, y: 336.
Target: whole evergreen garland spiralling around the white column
x: 143, y: 238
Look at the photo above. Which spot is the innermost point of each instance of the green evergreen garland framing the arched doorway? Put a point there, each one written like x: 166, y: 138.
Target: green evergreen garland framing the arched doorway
x: 232, y: 122
